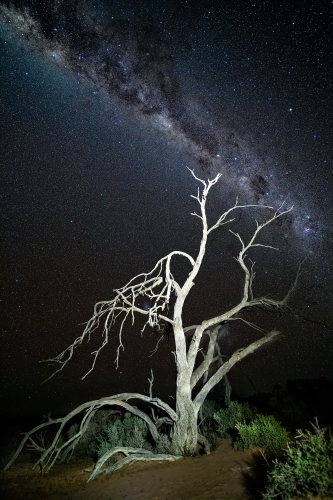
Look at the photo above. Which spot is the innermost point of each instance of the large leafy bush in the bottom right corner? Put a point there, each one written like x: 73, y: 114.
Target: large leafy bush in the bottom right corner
x: 307, y: 469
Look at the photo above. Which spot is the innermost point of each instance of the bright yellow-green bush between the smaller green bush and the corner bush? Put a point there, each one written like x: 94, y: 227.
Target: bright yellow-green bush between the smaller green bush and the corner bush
x: 264, y: 431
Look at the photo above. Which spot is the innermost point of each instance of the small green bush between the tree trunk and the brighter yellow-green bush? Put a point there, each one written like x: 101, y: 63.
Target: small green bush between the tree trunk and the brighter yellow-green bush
x: 234, y: 414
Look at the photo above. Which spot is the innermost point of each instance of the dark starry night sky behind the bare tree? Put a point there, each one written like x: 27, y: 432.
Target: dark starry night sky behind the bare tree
x: 103, y: 105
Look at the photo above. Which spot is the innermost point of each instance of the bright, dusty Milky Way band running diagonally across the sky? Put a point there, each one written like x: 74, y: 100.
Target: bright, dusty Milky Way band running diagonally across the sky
x: 130, y: 54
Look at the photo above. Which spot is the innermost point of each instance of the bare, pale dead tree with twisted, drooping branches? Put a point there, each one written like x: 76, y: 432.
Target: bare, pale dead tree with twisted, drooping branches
x: 167, y: 297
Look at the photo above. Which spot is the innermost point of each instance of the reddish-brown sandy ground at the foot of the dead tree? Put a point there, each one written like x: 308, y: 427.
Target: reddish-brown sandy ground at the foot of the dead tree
x: 224, y: 474
